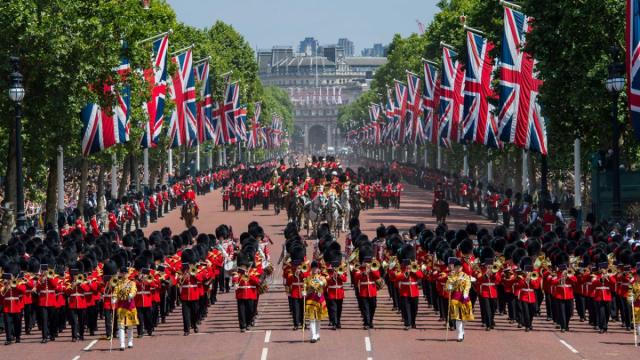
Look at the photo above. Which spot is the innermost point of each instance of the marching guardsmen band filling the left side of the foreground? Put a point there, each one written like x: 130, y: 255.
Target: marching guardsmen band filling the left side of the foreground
x: 78, y: 281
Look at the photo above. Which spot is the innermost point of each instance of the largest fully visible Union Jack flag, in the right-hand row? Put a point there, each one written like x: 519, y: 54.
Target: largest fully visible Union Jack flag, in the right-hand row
x: 520, y: 117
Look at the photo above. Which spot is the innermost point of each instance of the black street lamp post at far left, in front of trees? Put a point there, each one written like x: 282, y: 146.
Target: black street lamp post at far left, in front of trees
x: 16, y: 94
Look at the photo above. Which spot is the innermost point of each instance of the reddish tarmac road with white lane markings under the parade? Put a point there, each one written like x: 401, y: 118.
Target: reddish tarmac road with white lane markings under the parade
x: 272, y: 338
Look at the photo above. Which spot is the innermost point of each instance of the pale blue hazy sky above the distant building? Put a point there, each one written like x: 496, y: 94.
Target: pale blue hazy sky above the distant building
x: 265, y: 23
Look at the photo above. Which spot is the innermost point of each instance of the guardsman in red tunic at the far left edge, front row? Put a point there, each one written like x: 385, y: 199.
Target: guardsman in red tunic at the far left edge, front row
x: 11, y: 292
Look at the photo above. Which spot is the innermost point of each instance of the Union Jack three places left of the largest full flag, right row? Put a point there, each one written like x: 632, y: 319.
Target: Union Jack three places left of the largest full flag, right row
x: 430, y: 100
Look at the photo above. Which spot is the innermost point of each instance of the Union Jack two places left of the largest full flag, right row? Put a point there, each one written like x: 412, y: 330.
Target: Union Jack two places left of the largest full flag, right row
x: 451, y: 97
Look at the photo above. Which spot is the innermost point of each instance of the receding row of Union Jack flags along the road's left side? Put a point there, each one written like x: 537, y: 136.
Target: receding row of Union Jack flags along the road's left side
x: 192, y: 122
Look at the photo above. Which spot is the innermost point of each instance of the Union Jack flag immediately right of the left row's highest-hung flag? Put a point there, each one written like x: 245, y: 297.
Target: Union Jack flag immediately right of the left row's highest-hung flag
x: 184, y: 124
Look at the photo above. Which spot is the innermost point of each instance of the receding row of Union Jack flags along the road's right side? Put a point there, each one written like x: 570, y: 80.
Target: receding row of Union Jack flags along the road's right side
x: 457, y: 101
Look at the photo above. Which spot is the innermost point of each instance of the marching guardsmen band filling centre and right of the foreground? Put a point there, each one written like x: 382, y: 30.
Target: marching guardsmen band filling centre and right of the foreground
x: 522, y: 276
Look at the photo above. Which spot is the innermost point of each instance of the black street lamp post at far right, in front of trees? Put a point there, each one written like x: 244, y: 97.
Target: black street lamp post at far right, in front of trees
x: 615, y: 84
